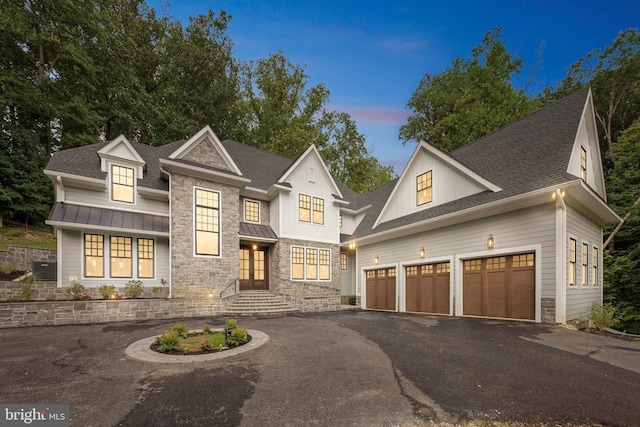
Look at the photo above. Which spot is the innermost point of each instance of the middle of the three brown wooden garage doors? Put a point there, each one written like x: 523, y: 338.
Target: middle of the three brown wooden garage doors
x: 427, y: 288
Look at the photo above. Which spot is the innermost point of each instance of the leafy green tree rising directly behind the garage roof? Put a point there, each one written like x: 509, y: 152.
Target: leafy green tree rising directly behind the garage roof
x: 468, y: 100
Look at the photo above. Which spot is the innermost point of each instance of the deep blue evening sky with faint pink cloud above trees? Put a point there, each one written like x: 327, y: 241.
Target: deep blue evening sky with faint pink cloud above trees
x: 371, y: 55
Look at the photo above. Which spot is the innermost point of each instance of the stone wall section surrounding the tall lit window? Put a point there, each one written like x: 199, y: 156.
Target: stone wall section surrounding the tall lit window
x: 200, y: 276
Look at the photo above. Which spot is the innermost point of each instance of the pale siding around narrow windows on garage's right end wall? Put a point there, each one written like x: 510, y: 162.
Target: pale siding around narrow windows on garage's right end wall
x: 579, y: 298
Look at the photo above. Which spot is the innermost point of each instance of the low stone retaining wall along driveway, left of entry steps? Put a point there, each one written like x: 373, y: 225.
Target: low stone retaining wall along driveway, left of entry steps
x: 88, y: 312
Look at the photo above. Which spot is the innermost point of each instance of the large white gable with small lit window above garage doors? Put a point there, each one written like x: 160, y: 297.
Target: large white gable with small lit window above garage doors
x: 431, y: 178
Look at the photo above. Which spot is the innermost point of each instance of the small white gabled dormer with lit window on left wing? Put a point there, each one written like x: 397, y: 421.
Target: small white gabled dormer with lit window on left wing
x: 124, y: 166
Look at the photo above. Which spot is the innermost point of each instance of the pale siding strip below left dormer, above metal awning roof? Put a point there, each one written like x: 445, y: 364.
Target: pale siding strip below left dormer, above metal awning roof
x: 85, y: 197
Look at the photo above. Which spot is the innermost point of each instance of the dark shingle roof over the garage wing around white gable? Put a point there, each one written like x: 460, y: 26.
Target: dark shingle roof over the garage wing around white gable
x: 527, y: 155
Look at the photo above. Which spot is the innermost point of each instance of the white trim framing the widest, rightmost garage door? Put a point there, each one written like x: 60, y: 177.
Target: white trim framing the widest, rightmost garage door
x: 459, y: 274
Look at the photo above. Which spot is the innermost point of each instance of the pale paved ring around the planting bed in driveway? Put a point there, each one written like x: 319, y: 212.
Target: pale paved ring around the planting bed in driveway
x: 141, y: 350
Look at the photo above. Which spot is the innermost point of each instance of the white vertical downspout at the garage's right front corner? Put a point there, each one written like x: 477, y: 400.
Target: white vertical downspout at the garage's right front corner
x: 561, y: 264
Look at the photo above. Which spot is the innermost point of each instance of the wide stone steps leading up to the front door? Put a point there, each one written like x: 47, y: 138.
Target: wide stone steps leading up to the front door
x: 258, y: 303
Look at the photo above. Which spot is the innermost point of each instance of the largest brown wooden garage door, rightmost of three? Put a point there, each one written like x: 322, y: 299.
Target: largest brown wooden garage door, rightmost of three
x: 500, y: 287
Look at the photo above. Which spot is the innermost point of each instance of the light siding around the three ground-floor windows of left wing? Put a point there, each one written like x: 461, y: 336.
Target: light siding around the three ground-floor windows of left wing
x: 72, y: 250
